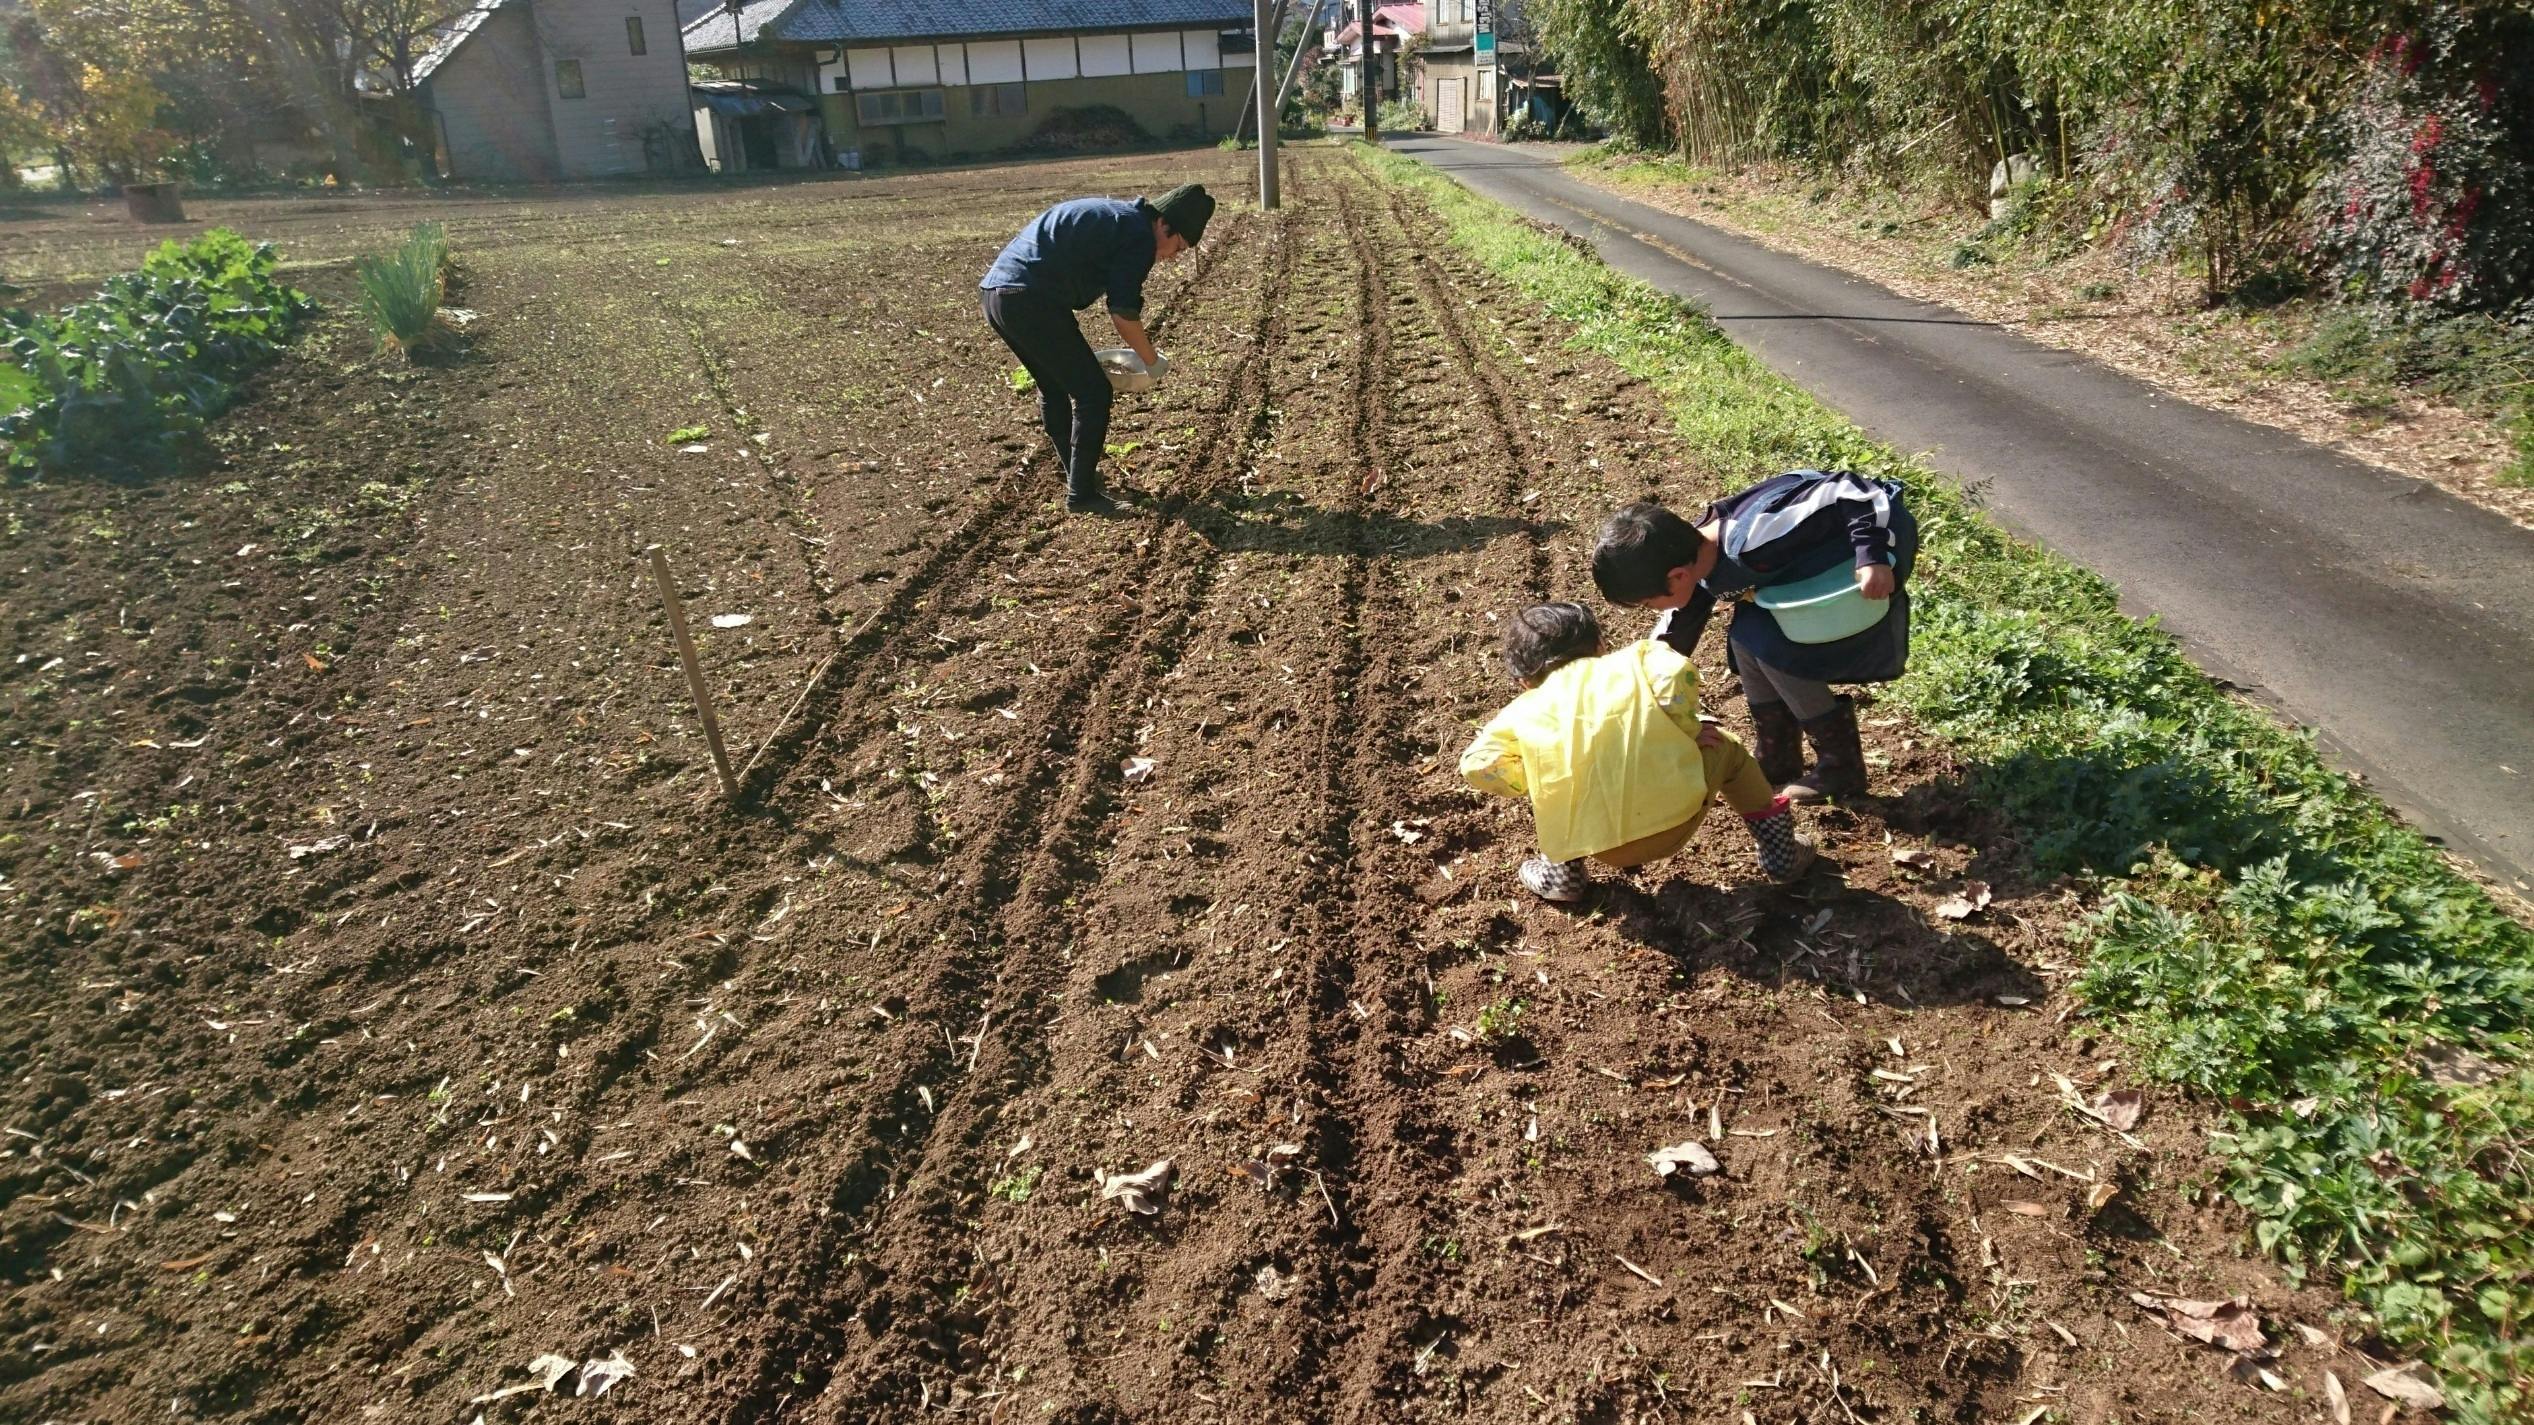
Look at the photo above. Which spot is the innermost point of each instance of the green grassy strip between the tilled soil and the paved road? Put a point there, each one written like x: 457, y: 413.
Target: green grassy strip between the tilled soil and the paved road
x: 2269, y: 934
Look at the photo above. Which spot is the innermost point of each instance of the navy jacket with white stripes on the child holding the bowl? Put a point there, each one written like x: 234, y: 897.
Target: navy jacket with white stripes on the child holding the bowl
x: 1788, y: 531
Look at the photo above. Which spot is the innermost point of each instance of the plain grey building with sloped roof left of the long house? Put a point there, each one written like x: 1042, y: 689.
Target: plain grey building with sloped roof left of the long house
x: 559, y: 90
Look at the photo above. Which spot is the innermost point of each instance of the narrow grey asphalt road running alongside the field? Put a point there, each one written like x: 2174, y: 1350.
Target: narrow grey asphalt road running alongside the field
x: 2386, y: 615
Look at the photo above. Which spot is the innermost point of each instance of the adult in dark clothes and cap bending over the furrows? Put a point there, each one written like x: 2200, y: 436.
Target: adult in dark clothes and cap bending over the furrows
x: 1066, y: 260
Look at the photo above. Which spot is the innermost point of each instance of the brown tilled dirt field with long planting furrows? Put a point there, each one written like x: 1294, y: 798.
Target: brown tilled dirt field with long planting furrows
x: 397, y: 1005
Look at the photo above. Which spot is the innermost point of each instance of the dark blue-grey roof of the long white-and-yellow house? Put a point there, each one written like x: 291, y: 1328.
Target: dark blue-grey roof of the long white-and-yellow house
x: 886, y: 22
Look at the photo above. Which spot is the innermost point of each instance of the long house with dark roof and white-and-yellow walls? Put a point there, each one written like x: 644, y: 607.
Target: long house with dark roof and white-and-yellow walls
x: 972, y: 77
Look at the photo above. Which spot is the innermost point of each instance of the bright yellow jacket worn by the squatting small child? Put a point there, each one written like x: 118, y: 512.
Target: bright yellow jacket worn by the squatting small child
x: 1605, y: 749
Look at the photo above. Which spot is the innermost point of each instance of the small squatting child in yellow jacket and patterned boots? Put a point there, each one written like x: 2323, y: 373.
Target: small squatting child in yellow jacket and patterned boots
x: 1615, y: 759
